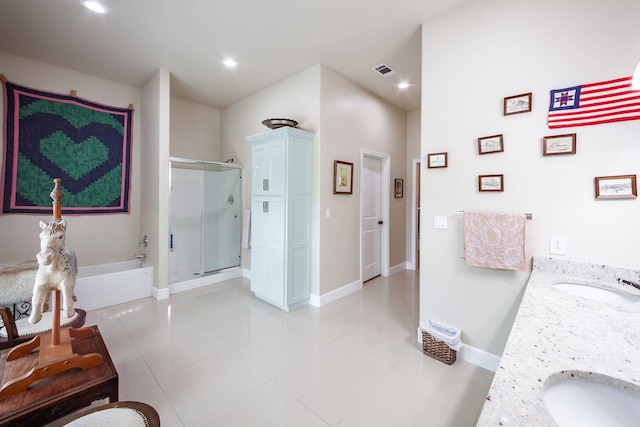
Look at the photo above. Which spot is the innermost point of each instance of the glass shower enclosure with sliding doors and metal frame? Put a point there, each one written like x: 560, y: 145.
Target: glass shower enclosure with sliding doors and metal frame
x: 205, y: 218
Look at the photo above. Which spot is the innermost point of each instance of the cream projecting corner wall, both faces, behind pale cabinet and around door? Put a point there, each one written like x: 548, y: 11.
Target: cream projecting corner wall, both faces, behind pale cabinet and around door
x: 345, y: 118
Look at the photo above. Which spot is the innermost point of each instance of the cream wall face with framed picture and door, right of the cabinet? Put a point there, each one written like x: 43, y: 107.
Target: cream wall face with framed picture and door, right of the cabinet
x: 352, y: 119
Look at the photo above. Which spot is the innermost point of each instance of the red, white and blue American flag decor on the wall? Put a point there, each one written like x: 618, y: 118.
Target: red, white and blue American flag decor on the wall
x: 594, y: 103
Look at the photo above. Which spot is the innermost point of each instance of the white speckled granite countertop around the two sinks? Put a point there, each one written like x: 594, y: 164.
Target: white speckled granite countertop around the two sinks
x: 556, y: 333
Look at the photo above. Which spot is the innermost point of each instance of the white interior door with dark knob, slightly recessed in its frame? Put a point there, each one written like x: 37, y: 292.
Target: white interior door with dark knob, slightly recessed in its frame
x: 371, y: 217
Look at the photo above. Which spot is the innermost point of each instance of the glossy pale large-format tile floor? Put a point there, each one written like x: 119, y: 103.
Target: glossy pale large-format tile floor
x: 217, y: 356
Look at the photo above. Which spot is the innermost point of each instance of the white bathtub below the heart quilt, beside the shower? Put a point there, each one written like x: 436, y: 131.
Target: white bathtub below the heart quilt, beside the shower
x: 103, y: 285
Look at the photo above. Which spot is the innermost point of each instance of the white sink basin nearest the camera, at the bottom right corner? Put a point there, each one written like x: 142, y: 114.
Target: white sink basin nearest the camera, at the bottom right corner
x: 580, y: 402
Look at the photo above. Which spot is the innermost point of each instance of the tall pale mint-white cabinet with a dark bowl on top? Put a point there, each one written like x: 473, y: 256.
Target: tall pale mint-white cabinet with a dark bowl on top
x: 281, y: 169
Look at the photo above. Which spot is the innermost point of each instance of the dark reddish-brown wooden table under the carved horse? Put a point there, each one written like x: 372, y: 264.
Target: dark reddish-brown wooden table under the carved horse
x: 51, y: 398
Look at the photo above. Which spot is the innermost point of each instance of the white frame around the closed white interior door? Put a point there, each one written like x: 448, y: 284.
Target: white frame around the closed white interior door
x: 385, y: 193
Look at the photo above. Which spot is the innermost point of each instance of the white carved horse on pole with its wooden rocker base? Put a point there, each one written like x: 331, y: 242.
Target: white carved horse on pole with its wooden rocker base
x: 56, y: 273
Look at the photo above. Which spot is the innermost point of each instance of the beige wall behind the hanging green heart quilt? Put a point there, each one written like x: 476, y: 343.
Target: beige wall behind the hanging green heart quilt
x: 96, y: 239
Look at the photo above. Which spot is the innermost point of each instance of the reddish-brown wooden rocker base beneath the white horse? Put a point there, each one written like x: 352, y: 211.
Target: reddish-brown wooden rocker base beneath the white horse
x: 53, y: 359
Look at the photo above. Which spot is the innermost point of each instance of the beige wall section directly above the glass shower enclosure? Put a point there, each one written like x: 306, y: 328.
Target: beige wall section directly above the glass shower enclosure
x: 195, y: 131
